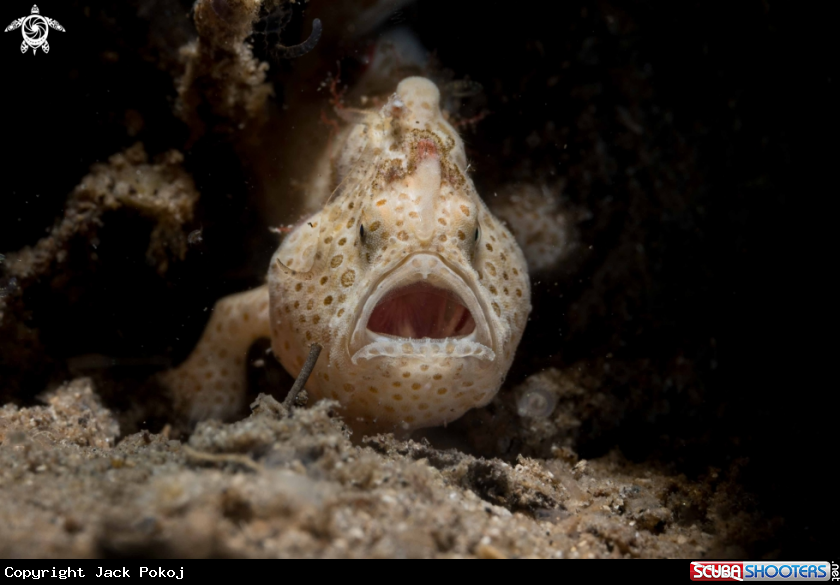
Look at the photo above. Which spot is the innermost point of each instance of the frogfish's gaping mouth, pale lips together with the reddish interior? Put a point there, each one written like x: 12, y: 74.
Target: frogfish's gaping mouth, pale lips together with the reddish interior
x: 422, y: 309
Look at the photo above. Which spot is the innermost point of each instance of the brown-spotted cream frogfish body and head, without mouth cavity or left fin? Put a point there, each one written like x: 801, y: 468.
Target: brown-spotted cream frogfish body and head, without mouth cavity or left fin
x: 400, y: 175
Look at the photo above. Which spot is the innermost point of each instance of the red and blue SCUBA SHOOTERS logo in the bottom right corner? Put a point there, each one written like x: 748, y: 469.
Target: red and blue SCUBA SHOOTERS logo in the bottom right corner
x: 761, y: 571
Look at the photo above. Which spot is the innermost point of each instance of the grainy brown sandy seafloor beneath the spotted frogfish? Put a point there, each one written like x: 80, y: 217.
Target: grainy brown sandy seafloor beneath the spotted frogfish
x: 295, y: 486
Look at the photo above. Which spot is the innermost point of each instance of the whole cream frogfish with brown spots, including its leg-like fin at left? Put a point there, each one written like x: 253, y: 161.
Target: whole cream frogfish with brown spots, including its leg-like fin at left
x: 417, y: 294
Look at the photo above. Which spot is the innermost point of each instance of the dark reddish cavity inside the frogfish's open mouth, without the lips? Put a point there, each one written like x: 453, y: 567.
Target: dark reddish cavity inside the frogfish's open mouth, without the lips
x: 421, y: 310
